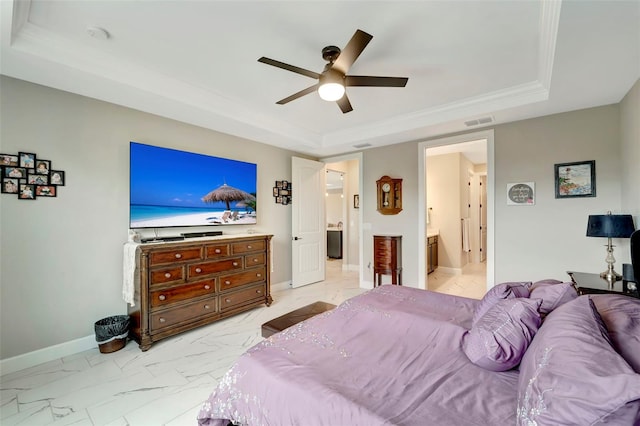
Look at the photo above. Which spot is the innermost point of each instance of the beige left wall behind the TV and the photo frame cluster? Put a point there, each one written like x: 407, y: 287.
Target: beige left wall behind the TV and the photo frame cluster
x: 61, y: 265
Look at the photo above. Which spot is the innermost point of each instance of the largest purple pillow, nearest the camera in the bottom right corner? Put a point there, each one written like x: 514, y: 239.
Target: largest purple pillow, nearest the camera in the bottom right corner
x: 571, y: 375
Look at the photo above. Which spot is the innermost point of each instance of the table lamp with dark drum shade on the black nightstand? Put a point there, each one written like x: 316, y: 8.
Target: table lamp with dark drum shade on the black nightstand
x: 610, y: 226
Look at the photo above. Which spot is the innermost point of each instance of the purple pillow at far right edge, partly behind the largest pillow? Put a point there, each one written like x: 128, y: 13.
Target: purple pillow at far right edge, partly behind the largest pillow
x: 621, y: 315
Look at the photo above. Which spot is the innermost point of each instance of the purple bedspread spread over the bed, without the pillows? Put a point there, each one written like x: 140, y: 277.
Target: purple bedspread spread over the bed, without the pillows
x: 391, y: 356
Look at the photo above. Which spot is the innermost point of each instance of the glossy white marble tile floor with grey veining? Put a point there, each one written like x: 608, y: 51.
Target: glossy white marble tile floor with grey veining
x: 167, y: 384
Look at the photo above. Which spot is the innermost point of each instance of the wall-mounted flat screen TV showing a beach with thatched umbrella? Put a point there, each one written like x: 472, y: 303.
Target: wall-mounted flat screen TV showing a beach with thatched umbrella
x: 171, y: 188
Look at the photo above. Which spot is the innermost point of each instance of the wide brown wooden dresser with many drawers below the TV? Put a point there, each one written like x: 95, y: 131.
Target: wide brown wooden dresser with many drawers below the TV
x: 186, y: 284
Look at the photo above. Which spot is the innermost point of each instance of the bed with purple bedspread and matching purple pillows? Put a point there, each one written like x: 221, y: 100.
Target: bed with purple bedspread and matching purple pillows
x: 527, y: 353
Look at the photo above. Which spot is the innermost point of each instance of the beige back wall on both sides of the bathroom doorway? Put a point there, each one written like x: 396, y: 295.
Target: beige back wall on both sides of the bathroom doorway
x: 531, y: 242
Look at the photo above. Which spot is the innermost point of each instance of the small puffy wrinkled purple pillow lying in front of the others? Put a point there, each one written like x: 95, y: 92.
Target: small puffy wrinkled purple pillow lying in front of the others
x: 499, y: 339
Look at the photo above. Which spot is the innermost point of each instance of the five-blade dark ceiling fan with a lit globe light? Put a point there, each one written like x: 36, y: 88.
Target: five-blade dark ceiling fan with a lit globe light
x: 333, y: 79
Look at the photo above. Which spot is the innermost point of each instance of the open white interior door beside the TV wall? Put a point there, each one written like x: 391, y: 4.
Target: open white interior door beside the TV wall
x: 308, y: 228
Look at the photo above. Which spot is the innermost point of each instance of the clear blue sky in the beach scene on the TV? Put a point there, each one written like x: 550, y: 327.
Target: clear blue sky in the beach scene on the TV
x: 168, y: 177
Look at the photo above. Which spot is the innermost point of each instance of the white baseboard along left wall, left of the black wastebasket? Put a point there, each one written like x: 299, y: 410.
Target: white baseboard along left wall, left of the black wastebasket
x: 31, y: 359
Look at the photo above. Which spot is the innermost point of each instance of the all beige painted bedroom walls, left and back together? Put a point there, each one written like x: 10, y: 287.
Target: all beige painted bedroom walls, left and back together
x: 61, y: 262
